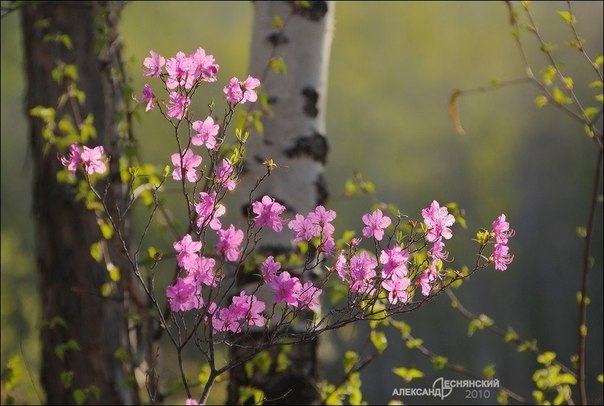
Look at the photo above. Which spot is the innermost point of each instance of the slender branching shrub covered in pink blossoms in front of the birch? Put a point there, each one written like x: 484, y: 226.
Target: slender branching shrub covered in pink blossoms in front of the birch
x: 404, y: 268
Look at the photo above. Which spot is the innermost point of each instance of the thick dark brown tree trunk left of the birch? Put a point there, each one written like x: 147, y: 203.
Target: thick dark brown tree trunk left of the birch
x: 70, y: 279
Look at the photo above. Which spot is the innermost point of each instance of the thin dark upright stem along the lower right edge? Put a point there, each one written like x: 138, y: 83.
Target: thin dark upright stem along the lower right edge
x: 586, y: 266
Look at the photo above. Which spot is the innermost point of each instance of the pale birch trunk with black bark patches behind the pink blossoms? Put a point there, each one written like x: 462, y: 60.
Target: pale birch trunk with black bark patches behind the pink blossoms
x: 294, y: 138
